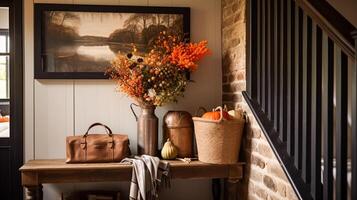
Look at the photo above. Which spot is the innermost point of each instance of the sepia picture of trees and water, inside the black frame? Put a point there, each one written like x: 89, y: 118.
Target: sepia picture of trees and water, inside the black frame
x: 79, y: 41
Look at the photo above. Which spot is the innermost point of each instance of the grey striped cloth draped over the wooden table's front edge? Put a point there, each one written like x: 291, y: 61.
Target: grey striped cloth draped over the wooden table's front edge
x: 147, y: 175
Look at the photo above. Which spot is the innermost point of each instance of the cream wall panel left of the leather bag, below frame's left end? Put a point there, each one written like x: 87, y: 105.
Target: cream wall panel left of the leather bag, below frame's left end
x: 53, y: 117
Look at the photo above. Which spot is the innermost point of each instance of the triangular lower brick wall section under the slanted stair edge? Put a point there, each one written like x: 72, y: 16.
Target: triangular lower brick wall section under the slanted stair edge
x: 264, y: 177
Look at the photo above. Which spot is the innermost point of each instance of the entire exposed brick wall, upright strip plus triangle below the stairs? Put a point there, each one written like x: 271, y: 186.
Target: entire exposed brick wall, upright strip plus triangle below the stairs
x: 264, y: 177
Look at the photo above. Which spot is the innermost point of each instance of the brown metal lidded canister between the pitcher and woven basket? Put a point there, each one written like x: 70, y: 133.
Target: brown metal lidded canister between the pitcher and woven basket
x: 178, y: 126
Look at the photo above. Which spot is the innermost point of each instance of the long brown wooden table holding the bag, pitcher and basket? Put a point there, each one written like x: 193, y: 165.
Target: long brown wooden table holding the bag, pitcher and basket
x: 37, y: 172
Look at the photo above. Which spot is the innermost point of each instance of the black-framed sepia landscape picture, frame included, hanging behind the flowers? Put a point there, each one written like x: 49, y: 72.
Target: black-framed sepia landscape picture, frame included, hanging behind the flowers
x: 79, y: 41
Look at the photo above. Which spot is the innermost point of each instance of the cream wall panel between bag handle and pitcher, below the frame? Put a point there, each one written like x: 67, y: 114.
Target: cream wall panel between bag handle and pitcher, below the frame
x: 99, y: 102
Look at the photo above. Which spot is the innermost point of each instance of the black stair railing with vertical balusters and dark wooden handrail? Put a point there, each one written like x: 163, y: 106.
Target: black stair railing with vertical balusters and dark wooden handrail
x: 301, y: 66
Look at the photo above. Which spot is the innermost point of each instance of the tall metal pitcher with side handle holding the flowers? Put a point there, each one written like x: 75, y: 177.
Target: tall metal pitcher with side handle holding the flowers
x: 147, y: 129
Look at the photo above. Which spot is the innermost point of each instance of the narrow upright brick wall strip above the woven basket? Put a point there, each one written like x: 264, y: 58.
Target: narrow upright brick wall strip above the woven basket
x: 233, y: 50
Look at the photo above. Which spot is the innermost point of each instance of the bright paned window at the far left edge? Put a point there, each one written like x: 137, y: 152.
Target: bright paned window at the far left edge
x: 4, y: 64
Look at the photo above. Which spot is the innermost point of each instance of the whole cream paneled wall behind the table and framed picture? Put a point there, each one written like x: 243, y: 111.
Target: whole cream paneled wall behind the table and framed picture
x: 57, y: 108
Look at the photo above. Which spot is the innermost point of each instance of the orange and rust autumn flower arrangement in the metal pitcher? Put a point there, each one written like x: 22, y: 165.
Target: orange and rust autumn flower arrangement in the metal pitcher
x: 160, y: 76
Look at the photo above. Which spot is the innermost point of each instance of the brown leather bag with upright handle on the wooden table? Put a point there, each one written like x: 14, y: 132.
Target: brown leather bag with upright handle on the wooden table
x: 97, y: 147
